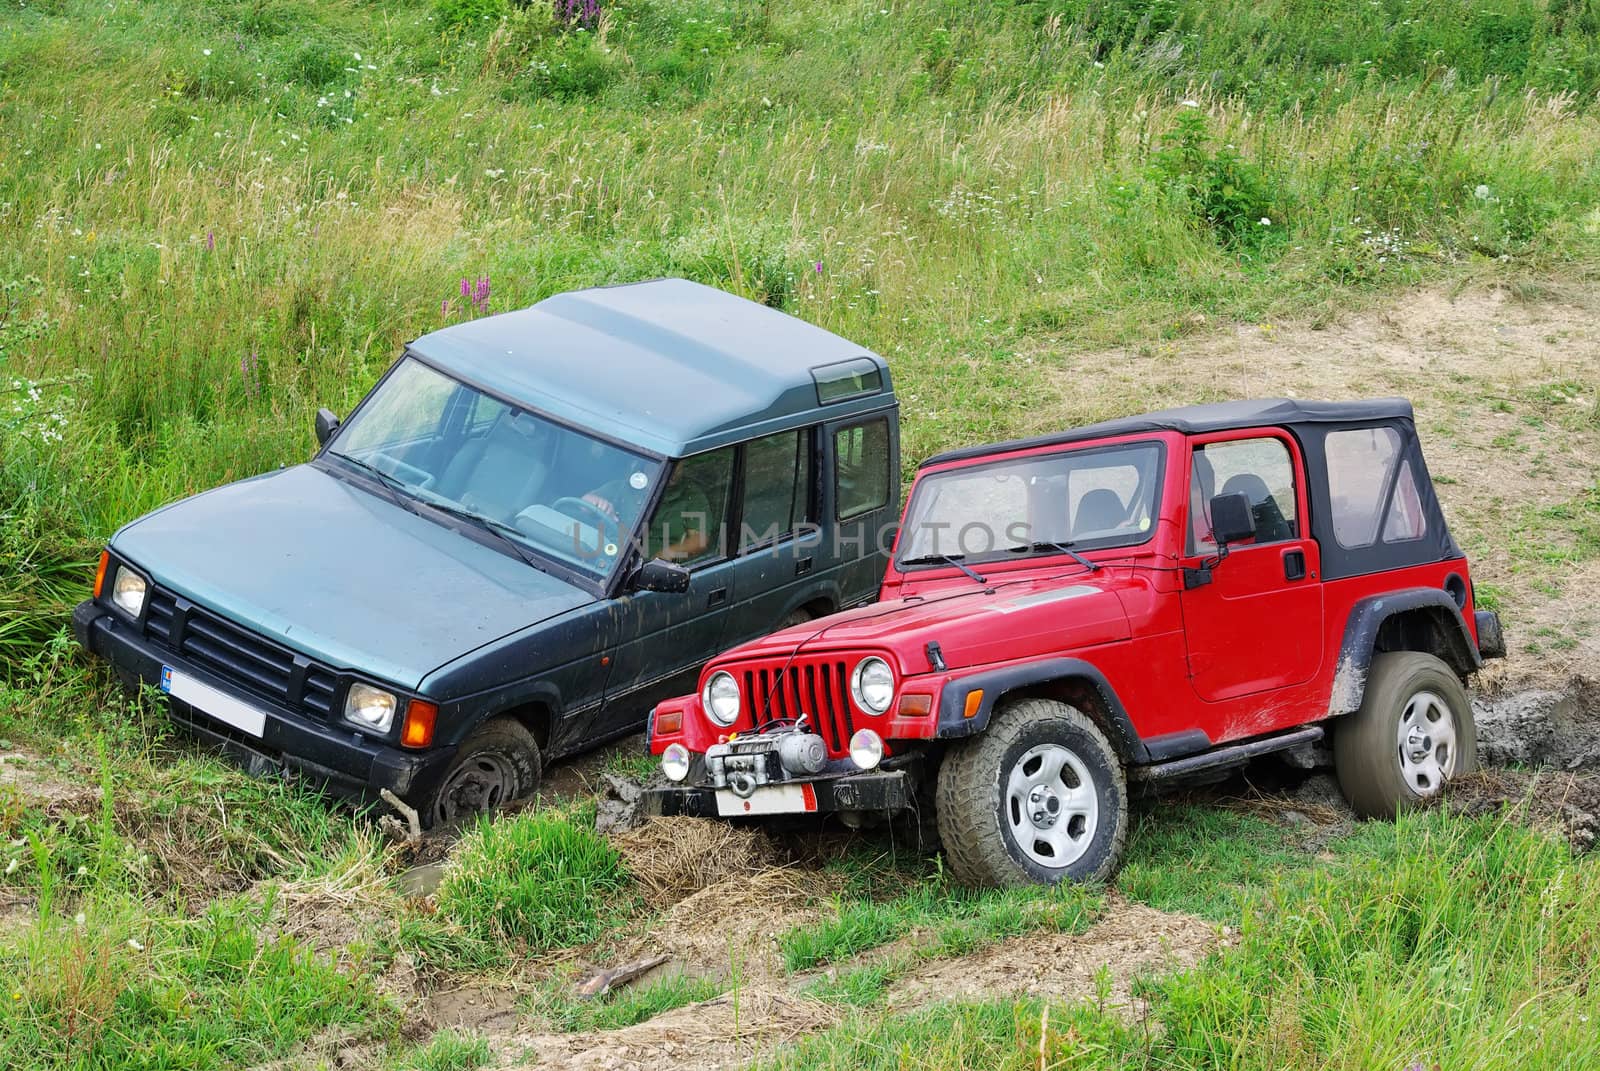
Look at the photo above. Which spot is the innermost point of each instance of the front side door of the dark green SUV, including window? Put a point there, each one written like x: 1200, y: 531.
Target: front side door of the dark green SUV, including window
x: 658, y: 641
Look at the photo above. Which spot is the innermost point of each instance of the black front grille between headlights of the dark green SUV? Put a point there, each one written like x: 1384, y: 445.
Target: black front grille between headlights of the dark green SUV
x: 239, y: 656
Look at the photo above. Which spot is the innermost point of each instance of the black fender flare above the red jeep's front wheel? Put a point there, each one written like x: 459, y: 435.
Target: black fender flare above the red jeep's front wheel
x: 1047, y: 678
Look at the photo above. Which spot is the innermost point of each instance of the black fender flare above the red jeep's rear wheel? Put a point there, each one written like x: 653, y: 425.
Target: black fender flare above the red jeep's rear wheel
x: 1431, y: 608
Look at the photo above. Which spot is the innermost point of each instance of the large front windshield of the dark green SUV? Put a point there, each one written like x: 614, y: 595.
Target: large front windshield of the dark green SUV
x: 558, y: 491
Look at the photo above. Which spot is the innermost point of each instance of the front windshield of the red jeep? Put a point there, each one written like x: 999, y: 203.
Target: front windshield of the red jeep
x: 1050, y: 503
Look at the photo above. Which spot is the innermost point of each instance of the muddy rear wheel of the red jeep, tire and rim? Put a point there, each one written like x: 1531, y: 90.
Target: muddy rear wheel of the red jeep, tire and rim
x: 1412, y: 734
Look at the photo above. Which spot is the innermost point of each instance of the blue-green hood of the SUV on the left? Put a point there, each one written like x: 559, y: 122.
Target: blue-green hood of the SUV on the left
x: 340, y: 574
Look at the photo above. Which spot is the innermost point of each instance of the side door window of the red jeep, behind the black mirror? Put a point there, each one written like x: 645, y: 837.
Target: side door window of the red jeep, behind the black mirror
x: 1258, y: 468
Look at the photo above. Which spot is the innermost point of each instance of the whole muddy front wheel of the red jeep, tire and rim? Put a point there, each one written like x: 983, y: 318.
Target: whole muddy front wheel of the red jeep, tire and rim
x: 1038, y: 798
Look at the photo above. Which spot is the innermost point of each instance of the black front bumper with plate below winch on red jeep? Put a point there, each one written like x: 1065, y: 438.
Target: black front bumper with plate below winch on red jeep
x: 878, y: 792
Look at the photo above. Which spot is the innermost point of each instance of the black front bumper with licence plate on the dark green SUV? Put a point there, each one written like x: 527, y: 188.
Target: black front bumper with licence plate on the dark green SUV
x: 327, y: 756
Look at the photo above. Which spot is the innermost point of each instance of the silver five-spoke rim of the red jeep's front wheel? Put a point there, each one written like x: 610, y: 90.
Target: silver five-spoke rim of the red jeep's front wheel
x: 1050, y: 806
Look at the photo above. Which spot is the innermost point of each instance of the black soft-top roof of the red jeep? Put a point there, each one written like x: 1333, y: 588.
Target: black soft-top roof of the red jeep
x: 1194, y: 420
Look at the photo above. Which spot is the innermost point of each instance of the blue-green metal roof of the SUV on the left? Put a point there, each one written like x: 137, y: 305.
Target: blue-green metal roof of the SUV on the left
x: 666, y: 366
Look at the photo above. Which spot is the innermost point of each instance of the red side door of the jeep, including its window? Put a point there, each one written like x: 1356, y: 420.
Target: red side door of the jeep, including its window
x: 1255, y: 627
